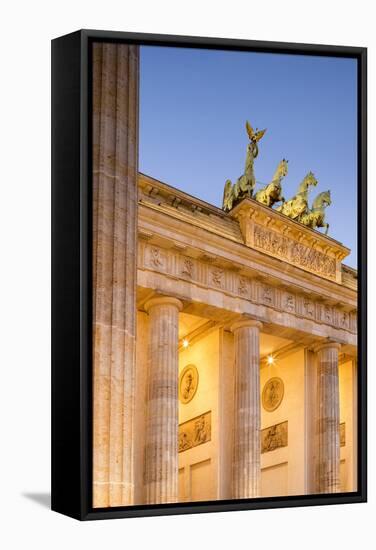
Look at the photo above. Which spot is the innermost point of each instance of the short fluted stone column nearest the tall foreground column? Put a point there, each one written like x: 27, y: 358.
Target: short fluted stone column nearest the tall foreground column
x: 161, y: 447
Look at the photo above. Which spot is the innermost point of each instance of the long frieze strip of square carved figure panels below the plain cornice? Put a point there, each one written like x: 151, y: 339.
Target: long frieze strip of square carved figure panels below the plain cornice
x: 207, y: 273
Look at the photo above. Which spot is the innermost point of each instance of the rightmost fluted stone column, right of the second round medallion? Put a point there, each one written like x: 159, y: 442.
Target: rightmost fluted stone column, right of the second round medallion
x: 328, y: 452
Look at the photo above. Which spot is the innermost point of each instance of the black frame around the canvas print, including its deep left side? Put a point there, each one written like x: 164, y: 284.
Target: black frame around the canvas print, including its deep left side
x: 71, y: 275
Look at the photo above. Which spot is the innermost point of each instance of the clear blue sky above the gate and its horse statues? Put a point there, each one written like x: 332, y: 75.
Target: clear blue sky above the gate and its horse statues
x: 194, y: 104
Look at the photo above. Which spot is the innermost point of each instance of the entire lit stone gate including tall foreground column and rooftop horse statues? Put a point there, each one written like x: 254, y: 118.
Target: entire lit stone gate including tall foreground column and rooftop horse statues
x: 225, y: 339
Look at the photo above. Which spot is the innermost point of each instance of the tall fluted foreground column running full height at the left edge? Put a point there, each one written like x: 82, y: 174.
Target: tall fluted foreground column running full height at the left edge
x: 115, y: 170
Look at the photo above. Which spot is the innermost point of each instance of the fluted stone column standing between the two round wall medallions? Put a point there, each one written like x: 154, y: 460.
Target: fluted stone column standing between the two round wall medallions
x: 246, y: 464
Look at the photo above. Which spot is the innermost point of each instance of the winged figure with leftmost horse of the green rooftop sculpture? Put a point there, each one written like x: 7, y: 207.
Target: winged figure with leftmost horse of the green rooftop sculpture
x: 245, y: 184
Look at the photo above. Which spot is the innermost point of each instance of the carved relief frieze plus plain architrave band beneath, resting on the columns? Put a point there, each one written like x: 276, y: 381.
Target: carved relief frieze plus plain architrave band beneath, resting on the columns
x: 211, y: 281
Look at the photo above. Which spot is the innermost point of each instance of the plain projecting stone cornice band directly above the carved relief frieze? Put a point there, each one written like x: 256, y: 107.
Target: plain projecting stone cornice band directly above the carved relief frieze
x: 200, y: 245
